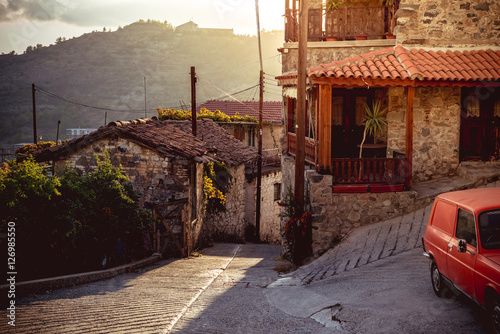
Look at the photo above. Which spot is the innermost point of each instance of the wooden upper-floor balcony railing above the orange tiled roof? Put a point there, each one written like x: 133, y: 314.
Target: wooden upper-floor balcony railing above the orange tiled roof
x: 345, y: 23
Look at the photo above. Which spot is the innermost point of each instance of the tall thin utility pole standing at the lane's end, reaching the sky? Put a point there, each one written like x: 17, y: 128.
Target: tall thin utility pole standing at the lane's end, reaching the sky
x: 261, y: 103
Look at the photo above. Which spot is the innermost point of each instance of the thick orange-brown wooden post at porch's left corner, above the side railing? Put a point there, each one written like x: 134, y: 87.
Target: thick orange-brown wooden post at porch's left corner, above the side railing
x: 325, y: 125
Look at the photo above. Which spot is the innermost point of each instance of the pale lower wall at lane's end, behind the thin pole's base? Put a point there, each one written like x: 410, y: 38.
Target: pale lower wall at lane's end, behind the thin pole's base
x: 270, y: 231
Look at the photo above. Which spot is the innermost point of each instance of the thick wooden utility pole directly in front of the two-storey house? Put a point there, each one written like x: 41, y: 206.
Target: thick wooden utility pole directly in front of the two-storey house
x: 301, y: 107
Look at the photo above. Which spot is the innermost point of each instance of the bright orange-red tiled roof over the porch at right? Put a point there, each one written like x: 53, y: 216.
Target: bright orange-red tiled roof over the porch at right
x: 399, y: 63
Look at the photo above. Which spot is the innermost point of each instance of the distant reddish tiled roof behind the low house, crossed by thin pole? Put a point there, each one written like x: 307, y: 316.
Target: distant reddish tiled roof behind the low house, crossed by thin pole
x: 271, y: 111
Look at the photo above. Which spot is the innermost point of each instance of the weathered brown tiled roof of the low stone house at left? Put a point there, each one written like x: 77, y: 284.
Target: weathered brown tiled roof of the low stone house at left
x: 168, y: 137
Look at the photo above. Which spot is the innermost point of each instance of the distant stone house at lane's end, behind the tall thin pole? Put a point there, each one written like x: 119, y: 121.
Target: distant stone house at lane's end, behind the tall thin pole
x: 271, y: 170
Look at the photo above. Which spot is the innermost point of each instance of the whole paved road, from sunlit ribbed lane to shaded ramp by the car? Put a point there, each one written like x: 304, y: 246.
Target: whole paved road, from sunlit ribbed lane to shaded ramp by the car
x: 375, y: 281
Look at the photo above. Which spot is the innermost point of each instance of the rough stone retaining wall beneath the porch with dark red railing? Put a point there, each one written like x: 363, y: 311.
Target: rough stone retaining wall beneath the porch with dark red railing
x: 335, y: 215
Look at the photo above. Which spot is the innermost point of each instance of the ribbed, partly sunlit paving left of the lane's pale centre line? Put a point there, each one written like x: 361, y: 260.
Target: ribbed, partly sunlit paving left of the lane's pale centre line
x: 146, y: 301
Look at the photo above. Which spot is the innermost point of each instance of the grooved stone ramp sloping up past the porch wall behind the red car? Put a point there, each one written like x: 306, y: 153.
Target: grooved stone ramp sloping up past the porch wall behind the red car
x: 378, y: 241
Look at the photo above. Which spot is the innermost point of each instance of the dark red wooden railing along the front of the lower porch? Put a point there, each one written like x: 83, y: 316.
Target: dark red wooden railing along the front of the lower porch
x: 369, y: 171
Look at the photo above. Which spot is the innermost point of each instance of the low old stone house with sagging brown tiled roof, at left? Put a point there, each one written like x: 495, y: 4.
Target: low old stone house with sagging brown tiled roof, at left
x: 165, y: 163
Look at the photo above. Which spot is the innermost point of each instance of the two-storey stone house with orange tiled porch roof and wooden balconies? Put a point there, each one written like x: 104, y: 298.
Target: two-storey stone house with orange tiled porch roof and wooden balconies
x: 434, y: 66
